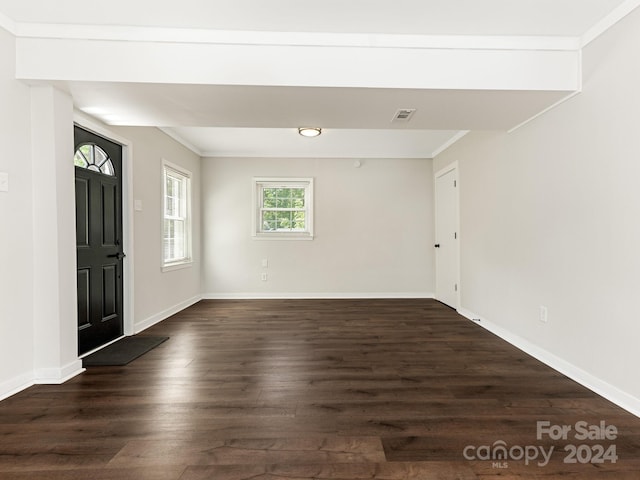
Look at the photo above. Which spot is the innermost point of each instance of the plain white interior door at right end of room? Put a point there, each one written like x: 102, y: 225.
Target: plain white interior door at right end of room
x: 446, y: 245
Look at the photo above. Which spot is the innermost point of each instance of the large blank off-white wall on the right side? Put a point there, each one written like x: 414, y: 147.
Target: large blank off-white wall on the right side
x: 550, y: 216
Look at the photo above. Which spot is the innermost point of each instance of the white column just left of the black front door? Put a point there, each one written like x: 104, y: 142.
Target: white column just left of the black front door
x: 55, y: 311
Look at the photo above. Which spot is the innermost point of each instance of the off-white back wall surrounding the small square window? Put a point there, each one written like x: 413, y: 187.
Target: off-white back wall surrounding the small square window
x: 373, y: 230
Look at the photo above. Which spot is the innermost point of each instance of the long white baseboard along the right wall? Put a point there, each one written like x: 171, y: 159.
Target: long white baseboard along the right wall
x: 593, y: 383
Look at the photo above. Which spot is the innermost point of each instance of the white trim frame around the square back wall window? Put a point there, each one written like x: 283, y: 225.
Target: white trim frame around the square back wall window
x: 306, y: 183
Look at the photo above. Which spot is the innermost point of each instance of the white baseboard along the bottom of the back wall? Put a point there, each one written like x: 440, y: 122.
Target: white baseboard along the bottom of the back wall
x: 314, y: 296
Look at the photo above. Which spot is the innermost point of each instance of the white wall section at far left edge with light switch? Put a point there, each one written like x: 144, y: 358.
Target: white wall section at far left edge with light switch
x: 16, y: 228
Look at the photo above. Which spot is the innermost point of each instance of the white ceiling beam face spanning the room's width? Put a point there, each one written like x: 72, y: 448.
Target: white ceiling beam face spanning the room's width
x: 284, y: 65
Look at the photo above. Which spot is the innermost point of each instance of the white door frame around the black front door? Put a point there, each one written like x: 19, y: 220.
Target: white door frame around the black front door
x: 92, y: 125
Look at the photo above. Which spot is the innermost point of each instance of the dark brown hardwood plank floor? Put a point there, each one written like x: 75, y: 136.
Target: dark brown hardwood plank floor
x: 314, y: 389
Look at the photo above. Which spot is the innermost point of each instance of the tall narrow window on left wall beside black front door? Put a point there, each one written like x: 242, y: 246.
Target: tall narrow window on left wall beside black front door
x: 176, y: 240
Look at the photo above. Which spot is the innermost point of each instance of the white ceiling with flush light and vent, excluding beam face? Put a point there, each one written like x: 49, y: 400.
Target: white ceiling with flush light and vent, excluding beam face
x: 261, y: 120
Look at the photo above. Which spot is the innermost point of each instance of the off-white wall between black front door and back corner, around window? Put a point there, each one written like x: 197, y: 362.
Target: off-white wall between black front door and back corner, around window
x: 159, y: 294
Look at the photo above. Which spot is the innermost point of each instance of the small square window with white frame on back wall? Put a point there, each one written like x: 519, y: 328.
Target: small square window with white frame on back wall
x: 283, y: 208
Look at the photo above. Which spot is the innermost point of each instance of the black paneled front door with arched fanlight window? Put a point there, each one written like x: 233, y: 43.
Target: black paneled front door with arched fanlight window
x: 99, y: 239
